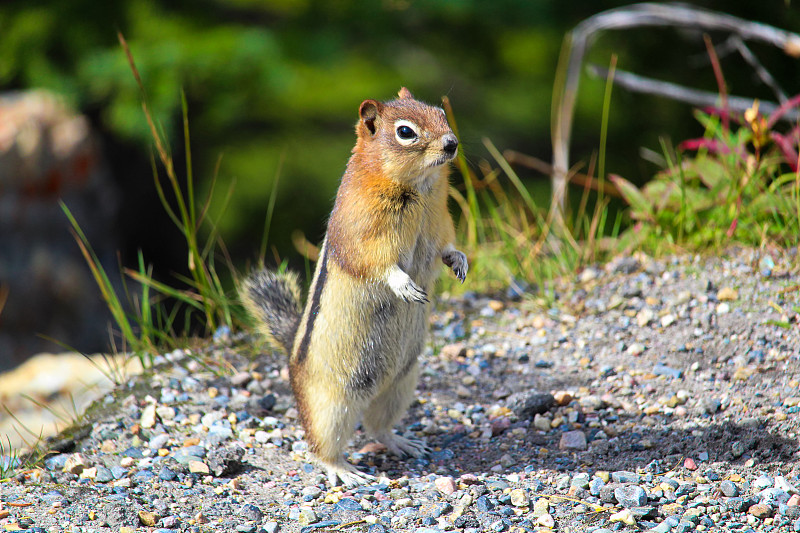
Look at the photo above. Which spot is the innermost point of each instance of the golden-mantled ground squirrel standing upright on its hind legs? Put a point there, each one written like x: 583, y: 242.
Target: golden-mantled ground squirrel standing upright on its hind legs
x: 354, y: 347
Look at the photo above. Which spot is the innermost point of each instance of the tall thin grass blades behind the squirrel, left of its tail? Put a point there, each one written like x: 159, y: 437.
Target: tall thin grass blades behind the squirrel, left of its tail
x: 157, y: 316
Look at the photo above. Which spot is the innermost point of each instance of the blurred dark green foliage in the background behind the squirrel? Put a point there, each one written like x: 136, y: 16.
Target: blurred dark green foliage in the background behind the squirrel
x: 272, y: 80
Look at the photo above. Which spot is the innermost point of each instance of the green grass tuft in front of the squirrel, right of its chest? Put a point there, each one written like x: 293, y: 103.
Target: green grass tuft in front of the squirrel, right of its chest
x: 510, y: 236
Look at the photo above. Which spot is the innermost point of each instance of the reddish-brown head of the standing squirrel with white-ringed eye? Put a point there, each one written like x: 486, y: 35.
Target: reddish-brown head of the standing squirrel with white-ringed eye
x: 412, y: 138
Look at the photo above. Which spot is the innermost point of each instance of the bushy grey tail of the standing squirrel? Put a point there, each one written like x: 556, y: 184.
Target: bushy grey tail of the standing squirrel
x: 274, y: 300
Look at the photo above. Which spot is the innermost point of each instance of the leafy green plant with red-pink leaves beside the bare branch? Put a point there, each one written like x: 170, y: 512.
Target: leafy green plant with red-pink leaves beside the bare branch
x: 738, y: 182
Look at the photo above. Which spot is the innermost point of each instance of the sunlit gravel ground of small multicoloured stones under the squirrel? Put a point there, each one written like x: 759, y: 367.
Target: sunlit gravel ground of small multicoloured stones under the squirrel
x: 649, y: 395
